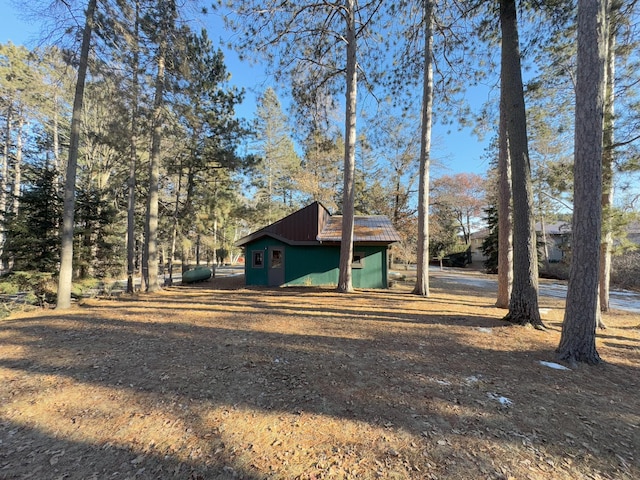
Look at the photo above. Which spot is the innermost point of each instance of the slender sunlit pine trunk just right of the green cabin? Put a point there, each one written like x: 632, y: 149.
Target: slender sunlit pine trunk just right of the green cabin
x: 422, y: 270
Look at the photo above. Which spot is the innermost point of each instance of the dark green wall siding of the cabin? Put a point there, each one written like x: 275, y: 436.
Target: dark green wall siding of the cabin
x: 317, y: 265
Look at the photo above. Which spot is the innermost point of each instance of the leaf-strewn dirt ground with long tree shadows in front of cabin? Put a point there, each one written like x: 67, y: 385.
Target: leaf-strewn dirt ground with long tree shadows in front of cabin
x: 219, y: 381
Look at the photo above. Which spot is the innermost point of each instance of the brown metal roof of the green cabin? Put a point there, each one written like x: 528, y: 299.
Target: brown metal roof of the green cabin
x: 314, y: 224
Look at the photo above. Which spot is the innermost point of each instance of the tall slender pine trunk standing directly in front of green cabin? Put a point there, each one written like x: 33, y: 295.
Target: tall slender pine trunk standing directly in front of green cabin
x: 345, y: 284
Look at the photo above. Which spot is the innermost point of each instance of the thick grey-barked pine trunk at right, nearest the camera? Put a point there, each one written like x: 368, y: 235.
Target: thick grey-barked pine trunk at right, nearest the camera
x: 577, y: 341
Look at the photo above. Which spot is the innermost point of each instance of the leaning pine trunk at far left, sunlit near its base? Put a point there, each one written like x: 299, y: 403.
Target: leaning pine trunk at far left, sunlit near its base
x: 66, y: 251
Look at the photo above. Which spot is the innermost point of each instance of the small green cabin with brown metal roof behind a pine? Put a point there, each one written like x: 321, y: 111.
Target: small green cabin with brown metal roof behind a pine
x: 304, y: 249
